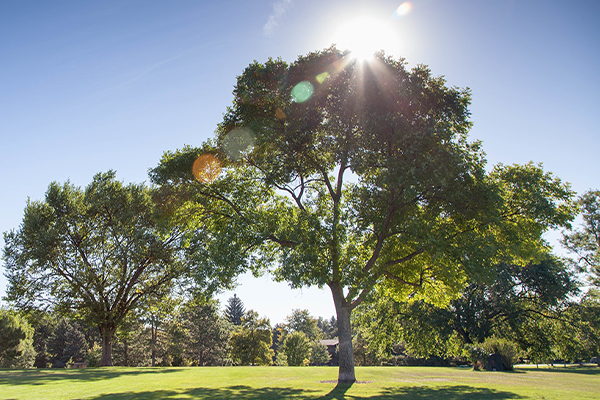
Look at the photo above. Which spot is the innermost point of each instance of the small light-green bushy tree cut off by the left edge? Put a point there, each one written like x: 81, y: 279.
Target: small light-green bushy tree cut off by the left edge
x: 16, y: 341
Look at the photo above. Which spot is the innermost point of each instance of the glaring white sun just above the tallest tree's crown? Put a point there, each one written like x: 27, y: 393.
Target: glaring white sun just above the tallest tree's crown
x: 364, y: 36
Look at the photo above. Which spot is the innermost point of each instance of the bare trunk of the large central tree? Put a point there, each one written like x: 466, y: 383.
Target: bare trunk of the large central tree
x: 345, y: 351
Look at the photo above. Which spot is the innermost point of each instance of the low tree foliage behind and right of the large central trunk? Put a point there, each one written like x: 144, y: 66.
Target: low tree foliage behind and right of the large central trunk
x: 519, y: 303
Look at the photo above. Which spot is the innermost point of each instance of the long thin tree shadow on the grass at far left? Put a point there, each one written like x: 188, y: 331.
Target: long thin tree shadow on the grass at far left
x: 43, y: 376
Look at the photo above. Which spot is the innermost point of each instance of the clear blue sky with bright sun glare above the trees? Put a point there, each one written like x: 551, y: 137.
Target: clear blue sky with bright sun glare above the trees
x: 88, y: 86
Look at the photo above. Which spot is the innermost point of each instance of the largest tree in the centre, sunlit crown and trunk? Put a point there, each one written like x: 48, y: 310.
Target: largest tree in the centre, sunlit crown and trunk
x: 347, y: 174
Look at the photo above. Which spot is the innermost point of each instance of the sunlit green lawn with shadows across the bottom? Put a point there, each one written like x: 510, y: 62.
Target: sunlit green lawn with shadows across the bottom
x: 376, y: 383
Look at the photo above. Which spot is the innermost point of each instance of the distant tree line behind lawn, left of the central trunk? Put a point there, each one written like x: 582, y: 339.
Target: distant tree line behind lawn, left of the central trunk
x: 191, y: 333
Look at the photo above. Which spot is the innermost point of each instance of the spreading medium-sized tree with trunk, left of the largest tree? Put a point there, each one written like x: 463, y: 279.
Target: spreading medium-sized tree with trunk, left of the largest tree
x: 99, y: 252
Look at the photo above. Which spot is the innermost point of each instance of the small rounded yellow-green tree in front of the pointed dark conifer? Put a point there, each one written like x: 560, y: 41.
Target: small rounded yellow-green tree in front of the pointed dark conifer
x: 250, y: 344
